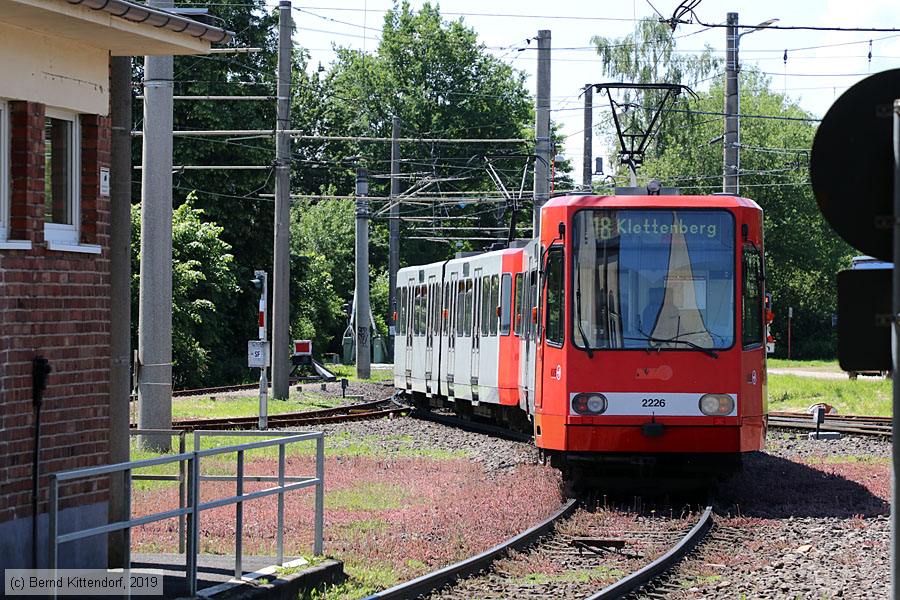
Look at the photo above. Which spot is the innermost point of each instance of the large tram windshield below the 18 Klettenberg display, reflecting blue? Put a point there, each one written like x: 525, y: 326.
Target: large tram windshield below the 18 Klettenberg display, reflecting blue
x: 655, y: 278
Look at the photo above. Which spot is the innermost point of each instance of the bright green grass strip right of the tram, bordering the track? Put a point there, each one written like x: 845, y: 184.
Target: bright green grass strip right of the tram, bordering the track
x: 860, y: 397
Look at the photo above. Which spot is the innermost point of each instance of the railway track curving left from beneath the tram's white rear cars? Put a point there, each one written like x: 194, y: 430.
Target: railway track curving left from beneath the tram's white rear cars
x: 353, y: 412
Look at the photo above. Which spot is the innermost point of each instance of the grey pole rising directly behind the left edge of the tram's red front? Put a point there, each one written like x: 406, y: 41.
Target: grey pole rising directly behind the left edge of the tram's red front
x: 542, y: 129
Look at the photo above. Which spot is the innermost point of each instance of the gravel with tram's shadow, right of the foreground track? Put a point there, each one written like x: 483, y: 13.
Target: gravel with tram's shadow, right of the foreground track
x: 805, y: 520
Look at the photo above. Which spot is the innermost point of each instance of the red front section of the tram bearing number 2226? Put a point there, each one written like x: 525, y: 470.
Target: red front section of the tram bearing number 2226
x: 652, y: 310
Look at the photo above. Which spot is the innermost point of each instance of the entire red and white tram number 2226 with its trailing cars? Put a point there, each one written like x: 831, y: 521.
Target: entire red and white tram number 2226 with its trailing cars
x: 631, y: 326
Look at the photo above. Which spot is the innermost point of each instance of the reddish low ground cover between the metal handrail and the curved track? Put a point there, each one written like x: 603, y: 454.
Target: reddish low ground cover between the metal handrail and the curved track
x: 413, y: 514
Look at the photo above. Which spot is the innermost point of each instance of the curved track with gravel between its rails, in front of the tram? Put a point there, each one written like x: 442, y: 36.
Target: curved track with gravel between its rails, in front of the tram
x: 584, y: 562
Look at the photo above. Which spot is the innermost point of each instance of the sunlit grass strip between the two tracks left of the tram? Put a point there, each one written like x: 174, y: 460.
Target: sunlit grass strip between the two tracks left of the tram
x: 241, y: 406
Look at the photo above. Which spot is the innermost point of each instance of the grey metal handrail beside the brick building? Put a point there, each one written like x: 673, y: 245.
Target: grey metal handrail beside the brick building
x: 193, y: 507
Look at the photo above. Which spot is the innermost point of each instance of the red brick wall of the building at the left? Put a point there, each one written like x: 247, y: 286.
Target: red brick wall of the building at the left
x: 54, y: 304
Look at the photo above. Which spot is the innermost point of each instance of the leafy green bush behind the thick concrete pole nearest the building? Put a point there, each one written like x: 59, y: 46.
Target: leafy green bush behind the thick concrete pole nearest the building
x: 203, y: 291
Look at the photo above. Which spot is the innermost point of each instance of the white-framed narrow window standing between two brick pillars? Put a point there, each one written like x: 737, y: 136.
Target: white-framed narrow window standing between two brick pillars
x: 61, y: 180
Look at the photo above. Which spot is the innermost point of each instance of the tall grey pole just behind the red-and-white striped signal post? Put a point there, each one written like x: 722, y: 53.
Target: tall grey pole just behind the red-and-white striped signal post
x: 282, y: 251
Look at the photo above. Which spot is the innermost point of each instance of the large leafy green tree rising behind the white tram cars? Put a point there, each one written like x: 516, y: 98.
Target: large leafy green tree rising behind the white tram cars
x: 441, y: 82
